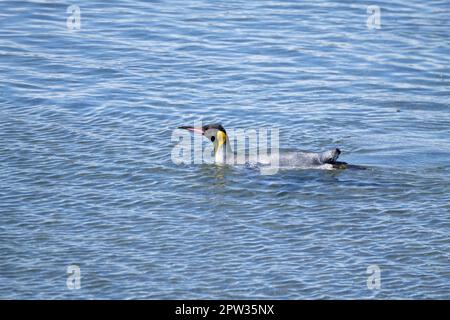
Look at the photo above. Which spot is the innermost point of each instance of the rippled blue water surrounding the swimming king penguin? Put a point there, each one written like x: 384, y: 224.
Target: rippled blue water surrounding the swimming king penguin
x: 86, y: 177
